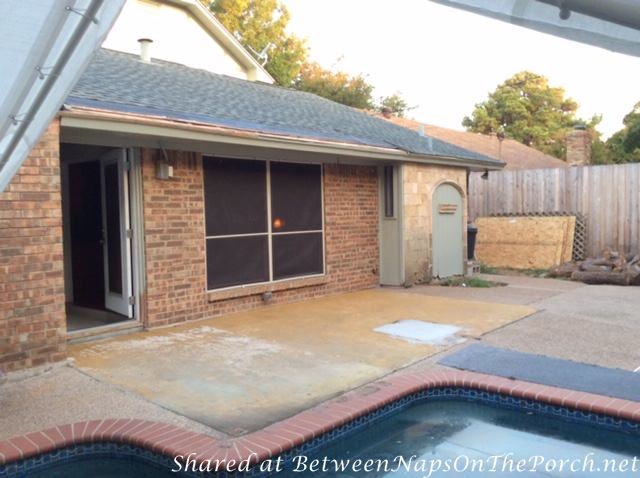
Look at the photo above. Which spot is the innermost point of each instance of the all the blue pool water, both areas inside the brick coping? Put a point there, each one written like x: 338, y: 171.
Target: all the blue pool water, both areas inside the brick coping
x: 420, y: 440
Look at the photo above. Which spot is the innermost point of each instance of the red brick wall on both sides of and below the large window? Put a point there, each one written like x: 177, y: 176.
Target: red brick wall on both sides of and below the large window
x: 175, y: 248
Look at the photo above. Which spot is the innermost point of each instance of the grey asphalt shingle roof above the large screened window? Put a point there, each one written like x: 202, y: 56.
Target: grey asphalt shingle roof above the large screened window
x: 120, y: 82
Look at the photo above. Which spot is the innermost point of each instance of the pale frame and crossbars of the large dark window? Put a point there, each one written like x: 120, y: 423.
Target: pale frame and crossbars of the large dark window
x: 270, y: 233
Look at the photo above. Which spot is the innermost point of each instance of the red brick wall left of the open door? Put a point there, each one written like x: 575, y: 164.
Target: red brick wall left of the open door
x: 32, y: 317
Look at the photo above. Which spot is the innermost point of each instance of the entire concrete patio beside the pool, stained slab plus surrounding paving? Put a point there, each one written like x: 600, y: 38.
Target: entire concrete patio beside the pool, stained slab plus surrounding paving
x: 240, y: 372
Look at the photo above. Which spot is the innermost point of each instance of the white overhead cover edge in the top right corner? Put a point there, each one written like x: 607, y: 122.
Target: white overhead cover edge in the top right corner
x: 611, y: 24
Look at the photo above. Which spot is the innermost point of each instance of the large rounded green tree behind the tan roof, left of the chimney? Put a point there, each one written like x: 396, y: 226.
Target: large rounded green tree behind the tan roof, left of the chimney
x: 527, y: 109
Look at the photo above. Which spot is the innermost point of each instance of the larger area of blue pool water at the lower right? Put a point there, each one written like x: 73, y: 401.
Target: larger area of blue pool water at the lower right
x: 461, y: 432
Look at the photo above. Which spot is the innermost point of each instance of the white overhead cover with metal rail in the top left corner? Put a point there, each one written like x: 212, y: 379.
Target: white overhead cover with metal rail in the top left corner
x: 46, y: 45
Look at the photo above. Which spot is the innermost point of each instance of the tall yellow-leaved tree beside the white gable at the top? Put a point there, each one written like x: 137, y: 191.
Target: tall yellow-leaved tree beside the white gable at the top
x: 261, y: 25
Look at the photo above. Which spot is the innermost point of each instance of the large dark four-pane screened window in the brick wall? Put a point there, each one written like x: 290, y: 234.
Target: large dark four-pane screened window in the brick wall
x: 263, y: 221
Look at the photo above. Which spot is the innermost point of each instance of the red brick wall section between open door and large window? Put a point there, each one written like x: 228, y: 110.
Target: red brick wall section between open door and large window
x: 174, y: 239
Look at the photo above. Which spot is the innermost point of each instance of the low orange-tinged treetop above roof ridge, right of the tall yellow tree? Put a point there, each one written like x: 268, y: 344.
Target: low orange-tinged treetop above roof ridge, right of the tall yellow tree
x: 336, y: 86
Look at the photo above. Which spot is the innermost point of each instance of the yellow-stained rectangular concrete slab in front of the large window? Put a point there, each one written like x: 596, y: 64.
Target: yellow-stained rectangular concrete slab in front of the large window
x: 241, y: 372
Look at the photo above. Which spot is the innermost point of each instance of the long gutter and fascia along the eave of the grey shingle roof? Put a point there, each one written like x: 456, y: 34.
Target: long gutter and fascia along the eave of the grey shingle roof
x: 143, y: 125
